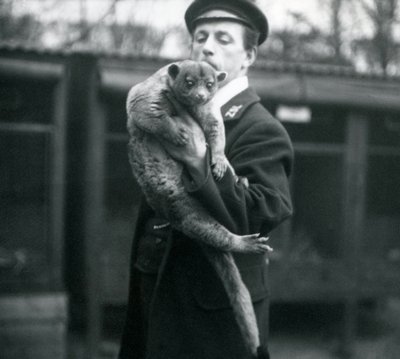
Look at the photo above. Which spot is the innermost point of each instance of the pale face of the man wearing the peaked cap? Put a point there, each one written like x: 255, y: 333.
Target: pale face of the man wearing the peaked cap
x: 221, y: 45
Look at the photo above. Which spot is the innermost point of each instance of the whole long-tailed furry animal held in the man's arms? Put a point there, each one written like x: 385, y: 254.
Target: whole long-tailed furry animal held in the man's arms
x: 150, y: 112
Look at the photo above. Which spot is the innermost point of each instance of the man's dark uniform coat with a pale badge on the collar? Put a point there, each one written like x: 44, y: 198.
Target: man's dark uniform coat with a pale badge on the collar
x: 190, y: 315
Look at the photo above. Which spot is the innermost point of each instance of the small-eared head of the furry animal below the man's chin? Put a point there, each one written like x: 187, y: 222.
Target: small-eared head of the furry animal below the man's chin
x: 194, y: 82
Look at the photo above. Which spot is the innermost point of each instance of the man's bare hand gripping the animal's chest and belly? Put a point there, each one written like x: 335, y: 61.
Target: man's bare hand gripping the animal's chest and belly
x: 194, y: 153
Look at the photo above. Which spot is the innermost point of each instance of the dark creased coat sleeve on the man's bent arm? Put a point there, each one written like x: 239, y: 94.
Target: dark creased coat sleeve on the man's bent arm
x: 259, y: 149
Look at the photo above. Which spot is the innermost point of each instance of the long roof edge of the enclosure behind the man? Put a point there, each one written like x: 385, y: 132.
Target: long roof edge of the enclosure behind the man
x: 292, y: 83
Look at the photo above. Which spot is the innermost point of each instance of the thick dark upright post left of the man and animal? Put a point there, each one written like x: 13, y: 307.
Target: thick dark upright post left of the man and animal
x: 85, y: 174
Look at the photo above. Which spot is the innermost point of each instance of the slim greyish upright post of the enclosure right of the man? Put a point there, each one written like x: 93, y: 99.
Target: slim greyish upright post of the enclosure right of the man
x: 354, y: 199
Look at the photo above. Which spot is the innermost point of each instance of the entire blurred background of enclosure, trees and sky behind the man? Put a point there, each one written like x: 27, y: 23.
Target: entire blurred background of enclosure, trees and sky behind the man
x: 329, y: 71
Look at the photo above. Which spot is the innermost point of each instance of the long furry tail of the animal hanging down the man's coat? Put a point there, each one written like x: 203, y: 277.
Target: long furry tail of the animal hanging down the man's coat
x: 239, y: 297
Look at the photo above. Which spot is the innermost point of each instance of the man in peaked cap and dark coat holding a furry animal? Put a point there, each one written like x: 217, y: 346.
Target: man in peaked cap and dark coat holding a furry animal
x: 177, y: 305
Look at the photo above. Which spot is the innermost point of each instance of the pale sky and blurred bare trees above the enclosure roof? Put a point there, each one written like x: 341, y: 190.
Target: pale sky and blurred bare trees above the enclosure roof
x: 363, y: 34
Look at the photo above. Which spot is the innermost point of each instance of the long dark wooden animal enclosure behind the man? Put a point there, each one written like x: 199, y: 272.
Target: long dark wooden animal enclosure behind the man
x: 68, y: 198
